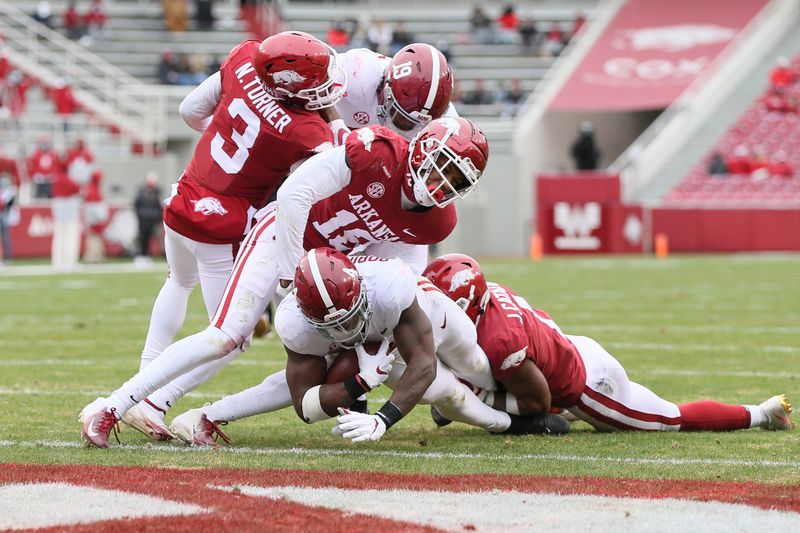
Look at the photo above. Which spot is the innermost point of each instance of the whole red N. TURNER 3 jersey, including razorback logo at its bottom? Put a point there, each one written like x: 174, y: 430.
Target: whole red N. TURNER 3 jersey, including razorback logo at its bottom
x: 243, y: 156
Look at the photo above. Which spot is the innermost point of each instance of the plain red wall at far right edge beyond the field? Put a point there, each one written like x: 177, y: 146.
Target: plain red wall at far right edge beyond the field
x: 729, y: 230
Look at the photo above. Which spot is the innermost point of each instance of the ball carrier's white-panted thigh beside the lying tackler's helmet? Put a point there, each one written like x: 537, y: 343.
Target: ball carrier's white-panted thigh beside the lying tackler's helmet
x: 456, y: 341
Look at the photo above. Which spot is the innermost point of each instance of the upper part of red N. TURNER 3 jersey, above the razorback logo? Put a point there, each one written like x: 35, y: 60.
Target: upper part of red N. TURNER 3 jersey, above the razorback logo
x: 253, y: 140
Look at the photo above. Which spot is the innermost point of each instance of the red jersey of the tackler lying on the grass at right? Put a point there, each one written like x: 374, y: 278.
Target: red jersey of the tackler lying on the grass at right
x: 510, y: 331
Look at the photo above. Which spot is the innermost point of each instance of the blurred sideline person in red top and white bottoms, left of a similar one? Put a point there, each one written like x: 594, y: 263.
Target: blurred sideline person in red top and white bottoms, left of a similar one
x: 66, y: 209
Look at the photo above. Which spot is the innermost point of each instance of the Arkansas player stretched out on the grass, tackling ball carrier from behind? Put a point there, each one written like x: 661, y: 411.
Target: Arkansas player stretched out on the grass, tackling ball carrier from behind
x: 542, y: 367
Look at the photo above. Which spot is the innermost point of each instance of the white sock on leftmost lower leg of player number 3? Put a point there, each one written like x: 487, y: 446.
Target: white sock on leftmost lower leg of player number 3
x: 166, y: 319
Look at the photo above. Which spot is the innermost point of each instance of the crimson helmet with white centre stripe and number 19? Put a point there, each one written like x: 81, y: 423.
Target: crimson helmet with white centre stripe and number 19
x: 416, y: 89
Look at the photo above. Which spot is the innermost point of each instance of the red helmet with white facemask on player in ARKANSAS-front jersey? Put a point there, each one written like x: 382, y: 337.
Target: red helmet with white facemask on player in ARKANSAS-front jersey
x: 445, y: 161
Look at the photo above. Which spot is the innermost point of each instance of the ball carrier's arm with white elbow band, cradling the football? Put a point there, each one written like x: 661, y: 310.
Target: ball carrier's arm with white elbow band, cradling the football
x: 313, y: 399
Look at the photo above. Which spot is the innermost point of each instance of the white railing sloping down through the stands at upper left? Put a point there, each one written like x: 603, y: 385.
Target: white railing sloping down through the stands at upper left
x: 138, y: 109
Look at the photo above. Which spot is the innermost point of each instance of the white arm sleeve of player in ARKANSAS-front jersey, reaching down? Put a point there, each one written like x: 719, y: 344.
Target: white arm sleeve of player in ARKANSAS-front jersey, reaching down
x: 318, y: 178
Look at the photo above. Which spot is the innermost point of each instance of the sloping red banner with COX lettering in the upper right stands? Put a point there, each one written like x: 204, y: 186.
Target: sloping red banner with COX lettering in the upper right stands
x: 651, y: 51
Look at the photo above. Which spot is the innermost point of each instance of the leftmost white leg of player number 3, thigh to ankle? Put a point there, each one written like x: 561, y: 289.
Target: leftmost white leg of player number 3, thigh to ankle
x: 169, y: 309
